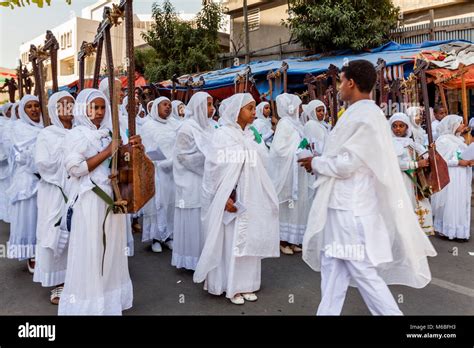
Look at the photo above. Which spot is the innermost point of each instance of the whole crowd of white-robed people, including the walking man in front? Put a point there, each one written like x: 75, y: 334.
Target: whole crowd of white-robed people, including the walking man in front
x: 233, y: 186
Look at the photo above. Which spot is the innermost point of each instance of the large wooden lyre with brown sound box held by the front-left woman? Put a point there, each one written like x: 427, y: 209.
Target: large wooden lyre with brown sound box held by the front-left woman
x: 132, y: 172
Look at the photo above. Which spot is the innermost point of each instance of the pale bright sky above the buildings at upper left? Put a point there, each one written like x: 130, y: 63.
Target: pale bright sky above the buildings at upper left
x: 25, y: 23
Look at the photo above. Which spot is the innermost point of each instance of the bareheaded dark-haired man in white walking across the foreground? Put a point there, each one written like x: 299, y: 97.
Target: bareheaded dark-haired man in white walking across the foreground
x: 362, y: 229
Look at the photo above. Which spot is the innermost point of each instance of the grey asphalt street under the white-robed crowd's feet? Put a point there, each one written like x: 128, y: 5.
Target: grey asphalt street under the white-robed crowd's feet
x: 289, y: 287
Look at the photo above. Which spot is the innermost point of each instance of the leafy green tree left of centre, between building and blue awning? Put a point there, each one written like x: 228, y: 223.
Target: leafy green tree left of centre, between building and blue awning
x: 180, y: 47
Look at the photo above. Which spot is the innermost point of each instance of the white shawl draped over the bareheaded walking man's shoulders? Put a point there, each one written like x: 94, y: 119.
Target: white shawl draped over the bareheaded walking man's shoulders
x: 365, y: 133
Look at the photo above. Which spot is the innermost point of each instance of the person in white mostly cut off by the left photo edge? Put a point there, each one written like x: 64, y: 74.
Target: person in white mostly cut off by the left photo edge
x: 5, y: 114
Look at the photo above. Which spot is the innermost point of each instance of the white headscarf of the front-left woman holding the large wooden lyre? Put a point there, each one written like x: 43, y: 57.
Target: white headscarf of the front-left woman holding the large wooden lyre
x: 85, y: 97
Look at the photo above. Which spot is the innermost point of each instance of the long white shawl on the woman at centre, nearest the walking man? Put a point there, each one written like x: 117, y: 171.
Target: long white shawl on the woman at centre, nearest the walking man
x: 257, y: 229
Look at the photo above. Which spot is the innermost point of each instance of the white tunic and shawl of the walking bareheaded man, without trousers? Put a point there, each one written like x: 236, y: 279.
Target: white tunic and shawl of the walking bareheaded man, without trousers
x: 360, y: 154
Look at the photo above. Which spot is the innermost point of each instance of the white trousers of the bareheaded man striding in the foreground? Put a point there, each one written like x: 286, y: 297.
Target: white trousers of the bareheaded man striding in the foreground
x: 336, y: 275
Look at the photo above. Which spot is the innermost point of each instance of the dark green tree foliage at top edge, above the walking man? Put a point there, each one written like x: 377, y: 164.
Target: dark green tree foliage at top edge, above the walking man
x: 325, y: 25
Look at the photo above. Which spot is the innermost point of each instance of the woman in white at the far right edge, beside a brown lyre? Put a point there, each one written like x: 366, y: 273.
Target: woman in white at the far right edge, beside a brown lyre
x: 452, y: 205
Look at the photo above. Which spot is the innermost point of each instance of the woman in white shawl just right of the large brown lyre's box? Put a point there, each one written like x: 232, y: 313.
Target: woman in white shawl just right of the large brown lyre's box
x: 158, y: 213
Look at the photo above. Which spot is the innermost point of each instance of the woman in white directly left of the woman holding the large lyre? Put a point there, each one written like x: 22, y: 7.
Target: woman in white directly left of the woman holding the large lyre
x: 53, y: 190
